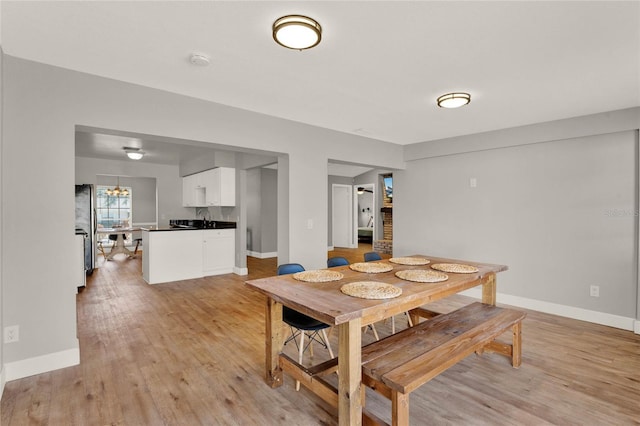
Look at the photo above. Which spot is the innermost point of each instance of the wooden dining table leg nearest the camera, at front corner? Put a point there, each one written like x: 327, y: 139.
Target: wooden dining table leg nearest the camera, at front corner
x: 350, y: 373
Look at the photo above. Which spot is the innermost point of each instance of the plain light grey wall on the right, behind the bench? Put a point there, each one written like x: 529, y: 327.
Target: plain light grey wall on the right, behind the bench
x: 560, y: 212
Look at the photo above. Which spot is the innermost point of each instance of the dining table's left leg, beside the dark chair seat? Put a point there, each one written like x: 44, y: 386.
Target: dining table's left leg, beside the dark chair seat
x: 274, y: 341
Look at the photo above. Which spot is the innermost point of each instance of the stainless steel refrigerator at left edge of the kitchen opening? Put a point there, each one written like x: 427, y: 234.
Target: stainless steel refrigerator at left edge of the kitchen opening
x: 86, y: 223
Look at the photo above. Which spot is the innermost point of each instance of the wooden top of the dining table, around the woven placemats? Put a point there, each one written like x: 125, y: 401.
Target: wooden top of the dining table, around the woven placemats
x: 325, y: 301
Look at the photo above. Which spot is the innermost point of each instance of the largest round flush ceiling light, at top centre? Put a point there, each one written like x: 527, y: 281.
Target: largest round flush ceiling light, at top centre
x: 297, y: 32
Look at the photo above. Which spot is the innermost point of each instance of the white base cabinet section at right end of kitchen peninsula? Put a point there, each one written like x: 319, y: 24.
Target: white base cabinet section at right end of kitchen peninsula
x: 218, y: 251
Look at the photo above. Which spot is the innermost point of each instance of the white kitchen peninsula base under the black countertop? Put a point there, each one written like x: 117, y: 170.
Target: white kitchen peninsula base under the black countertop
x: 182, y: 253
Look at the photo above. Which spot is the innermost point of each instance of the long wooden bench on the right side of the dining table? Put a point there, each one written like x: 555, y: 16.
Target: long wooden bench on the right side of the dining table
x: 399, y: 364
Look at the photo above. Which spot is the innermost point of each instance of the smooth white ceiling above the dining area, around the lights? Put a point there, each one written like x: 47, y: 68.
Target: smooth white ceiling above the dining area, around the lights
x: 378, y: 69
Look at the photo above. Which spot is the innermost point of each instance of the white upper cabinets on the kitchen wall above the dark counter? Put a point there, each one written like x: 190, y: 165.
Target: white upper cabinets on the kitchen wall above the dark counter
x: 215, y: 187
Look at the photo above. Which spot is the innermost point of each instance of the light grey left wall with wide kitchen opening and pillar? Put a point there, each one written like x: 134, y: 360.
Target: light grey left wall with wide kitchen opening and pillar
x: 42, y: 107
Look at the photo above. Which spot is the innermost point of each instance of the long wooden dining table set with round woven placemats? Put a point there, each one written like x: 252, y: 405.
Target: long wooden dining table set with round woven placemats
x: 325, y: 302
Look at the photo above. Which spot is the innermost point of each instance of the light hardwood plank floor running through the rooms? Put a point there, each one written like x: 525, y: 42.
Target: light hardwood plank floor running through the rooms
x: 192, y: 353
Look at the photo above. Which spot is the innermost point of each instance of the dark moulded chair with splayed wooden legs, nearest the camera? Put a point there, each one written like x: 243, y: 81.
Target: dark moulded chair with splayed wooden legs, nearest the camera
x: 302, y: 324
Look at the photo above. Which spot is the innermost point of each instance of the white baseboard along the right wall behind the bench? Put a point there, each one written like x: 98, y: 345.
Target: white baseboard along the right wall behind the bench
x: 596, y: 317
